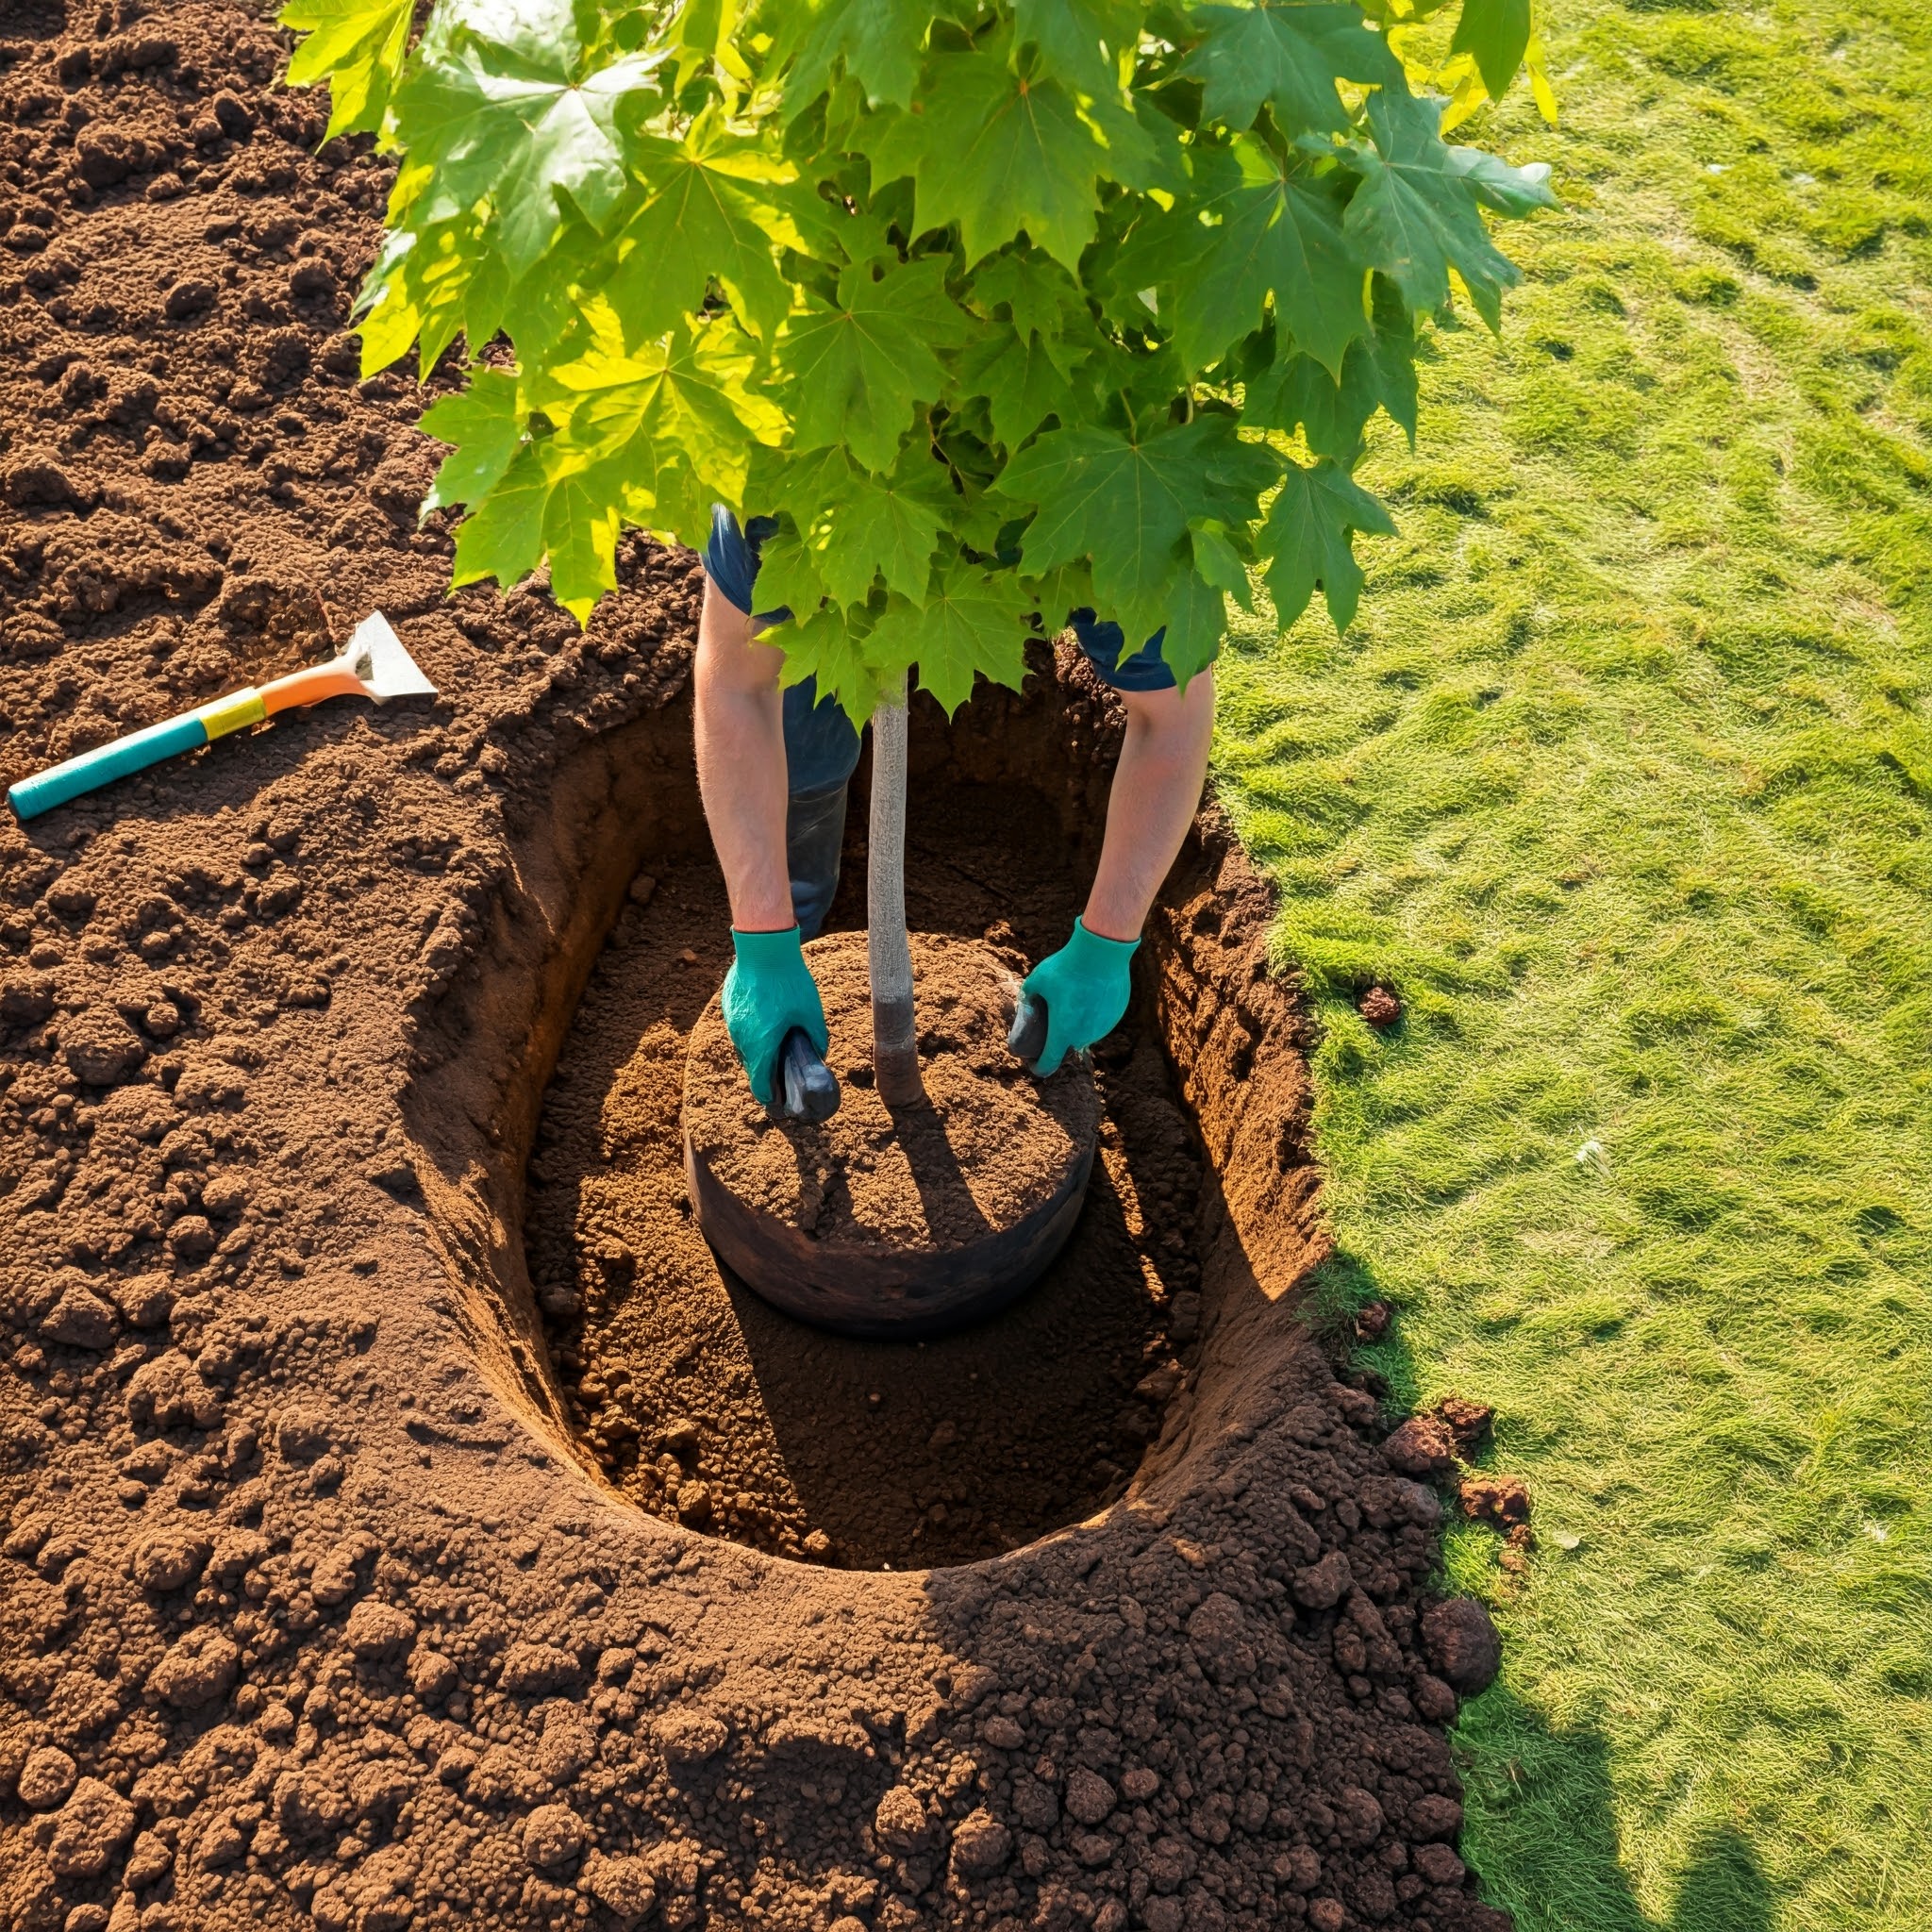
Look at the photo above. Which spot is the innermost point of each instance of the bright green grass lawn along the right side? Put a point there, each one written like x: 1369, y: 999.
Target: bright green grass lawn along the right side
x: 1624, y: 780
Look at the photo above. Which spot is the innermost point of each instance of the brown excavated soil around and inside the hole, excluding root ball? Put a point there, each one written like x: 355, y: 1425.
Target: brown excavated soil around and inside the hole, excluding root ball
x: 316, y: 1601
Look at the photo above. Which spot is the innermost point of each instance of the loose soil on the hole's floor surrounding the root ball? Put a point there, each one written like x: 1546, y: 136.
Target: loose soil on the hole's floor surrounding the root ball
x: 706, y: 1406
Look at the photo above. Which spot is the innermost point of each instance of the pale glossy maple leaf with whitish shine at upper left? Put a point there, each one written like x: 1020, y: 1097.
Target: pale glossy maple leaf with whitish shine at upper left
x: 525, y: 140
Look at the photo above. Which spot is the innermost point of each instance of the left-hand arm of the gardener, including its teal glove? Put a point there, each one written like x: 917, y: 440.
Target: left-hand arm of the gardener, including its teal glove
x: 743, y: 780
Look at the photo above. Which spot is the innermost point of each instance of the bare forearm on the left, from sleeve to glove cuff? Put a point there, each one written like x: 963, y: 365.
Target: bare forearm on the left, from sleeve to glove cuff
x: 741, y: 764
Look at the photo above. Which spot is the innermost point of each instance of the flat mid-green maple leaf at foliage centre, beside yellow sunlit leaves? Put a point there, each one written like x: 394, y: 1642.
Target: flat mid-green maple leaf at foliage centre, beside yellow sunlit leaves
x: 861, y: 368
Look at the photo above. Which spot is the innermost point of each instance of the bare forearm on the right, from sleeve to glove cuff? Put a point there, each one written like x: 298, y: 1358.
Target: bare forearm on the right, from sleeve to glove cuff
x: 1156, y: 789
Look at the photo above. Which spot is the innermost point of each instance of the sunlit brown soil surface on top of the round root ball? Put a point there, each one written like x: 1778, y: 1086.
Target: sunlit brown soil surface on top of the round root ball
x: 988, y: 1151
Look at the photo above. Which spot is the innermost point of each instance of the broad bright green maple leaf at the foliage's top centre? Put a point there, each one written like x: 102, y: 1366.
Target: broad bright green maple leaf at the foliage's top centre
x: 1000, y: 154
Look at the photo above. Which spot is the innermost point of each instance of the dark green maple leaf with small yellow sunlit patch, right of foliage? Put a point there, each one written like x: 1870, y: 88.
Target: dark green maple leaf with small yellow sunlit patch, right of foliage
x: 1261, y: 231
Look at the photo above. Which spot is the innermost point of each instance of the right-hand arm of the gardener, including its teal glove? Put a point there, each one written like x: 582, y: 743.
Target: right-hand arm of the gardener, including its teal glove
x: 1156, y: 789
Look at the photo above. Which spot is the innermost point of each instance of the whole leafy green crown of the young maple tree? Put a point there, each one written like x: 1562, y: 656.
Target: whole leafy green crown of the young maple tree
x: 1002, y: 308
